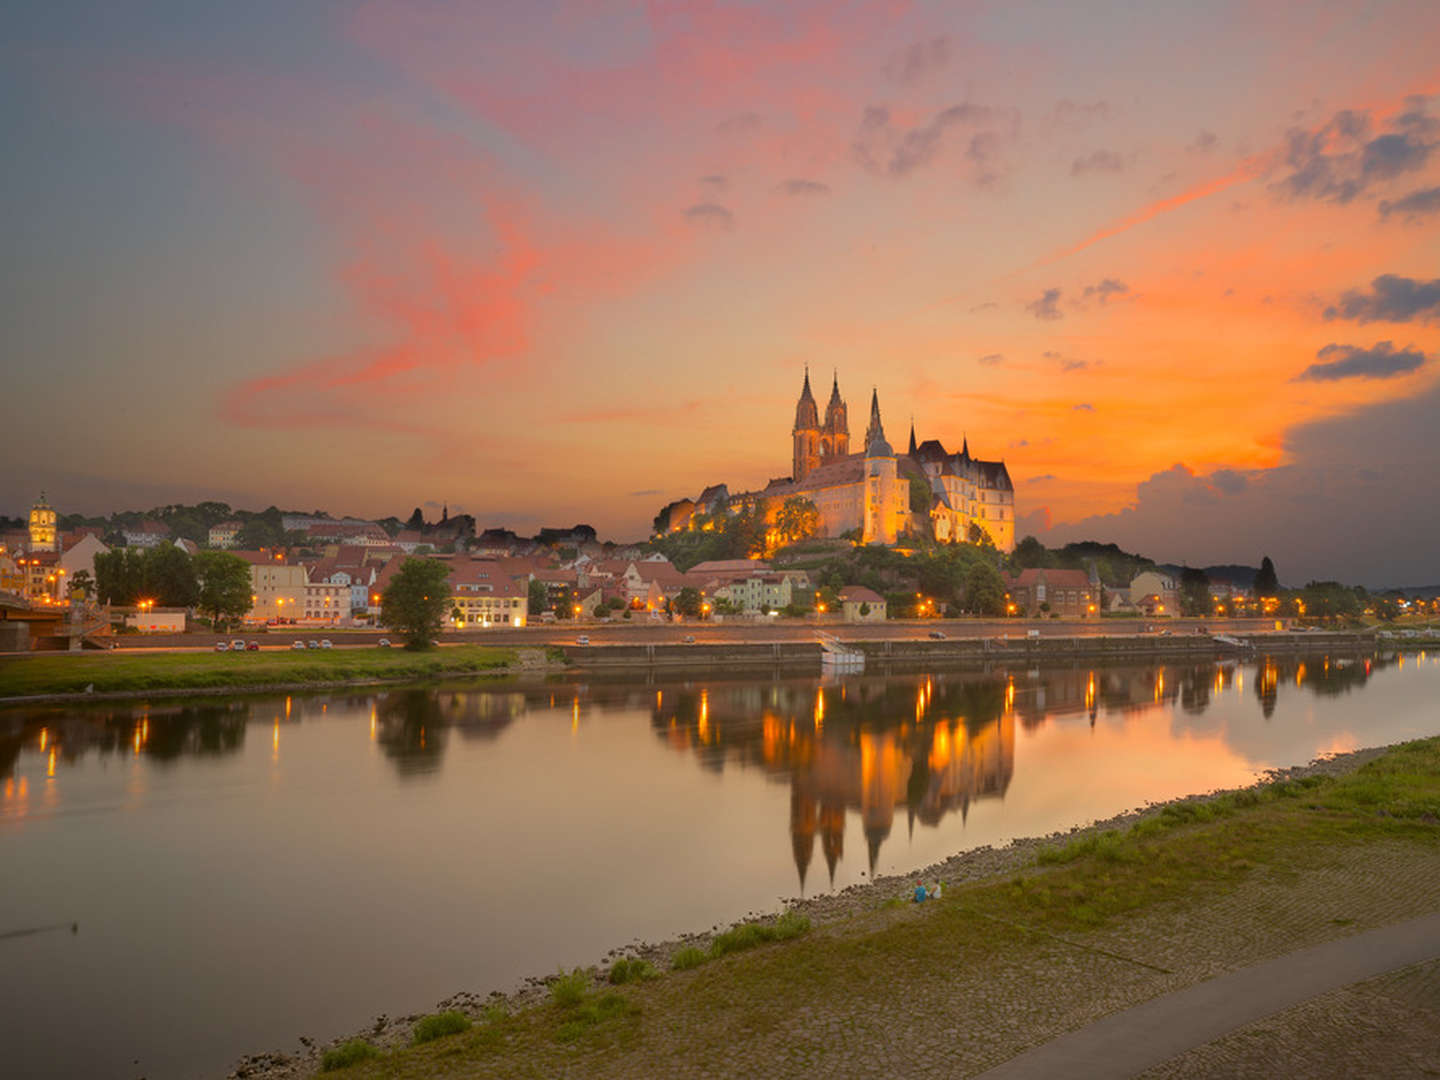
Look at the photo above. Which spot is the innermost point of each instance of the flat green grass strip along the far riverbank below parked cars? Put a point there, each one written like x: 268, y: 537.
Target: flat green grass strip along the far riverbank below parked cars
x: 198, y: 670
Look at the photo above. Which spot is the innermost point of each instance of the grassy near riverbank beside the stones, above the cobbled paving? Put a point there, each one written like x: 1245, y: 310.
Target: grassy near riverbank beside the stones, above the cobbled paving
x: 735, y: 1012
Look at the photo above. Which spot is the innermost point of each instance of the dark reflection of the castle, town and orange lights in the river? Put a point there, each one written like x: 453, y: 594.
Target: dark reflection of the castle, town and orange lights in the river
x: 925, y: 745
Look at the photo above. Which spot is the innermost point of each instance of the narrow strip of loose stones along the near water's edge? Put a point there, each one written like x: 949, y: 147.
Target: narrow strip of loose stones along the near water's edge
x: 964, y: 868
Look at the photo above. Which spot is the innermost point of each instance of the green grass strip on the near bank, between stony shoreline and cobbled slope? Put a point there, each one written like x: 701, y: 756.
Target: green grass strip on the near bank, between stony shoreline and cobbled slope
x: 1189, y: 855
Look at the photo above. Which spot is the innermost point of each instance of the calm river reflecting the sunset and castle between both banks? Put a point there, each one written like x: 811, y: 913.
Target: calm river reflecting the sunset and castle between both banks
x: 248, y: 872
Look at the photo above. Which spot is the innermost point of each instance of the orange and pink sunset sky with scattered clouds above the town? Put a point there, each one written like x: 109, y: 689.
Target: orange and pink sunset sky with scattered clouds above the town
x: 1179, y: 266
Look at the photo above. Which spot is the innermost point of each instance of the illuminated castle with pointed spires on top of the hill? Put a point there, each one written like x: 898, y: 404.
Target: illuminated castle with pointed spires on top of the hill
x: 878, y: 495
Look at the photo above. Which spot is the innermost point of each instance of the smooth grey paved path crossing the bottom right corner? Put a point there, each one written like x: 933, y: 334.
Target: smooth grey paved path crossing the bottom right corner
x: 1141, y: 1038
